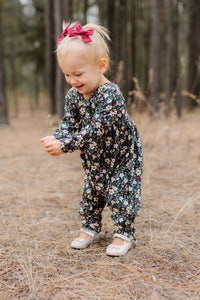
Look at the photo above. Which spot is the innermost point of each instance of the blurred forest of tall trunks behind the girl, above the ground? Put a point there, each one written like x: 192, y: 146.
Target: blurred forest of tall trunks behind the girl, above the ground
x: 155, y: 51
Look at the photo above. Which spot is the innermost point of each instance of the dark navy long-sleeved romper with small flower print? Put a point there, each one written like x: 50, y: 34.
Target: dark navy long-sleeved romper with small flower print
x: 111, y: 155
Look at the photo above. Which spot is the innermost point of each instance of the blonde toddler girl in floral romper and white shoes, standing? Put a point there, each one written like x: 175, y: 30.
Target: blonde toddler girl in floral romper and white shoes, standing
x: 96, y: 123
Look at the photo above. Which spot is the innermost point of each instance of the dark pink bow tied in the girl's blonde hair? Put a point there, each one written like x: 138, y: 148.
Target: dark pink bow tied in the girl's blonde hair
x: 75, y: 31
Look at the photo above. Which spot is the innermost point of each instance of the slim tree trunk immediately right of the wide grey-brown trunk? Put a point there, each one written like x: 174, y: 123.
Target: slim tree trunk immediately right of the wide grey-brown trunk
x: 168, y: 83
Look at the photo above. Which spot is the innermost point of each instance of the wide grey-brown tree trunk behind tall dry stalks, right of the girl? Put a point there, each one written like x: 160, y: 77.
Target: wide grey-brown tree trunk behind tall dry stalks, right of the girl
x: 155, y: 55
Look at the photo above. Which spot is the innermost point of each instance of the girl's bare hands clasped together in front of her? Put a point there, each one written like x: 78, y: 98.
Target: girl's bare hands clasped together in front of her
x: 52, y: 145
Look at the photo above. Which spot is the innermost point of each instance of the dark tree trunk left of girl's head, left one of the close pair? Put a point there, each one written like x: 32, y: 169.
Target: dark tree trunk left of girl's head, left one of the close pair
x: 50, y: 55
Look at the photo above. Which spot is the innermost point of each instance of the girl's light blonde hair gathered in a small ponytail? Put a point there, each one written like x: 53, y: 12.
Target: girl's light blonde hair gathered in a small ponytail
x: 94, y: 50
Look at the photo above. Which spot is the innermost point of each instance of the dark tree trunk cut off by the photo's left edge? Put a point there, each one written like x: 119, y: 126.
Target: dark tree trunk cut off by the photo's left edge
x: 3, y: 104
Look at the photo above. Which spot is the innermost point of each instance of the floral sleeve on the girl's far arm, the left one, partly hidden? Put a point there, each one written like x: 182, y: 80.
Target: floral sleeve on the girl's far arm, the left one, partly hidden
x: 70, y: 122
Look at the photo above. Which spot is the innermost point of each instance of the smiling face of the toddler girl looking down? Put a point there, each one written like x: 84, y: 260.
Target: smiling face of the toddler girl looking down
x: 81, y: 73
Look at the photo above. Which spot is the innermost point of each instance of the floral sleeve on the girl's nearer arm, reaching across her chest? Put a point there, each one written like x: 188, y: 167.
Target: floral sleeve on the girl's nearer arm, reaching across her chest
x: 109, y: 110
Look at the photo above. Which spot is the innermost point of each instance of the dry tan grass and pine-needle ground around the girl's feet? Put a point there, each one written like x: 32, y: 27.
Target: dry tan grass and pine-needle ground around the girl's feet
x: 39, y: 199
